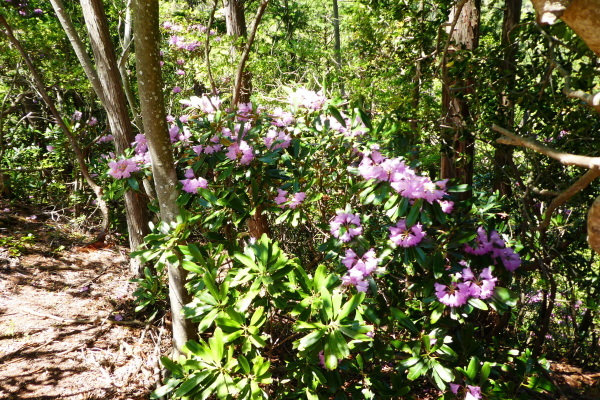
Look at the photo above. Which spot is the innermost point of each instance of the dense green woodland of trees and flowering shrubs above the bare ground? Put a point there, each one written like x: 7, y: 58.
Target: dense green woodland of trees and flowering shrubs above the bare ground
x: 342, y: 199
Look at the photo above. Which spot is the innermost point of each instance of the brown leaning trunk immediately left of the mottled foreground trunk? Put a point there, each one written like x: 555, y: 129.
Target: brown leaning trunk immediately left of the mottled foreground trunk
x: 136, y: 204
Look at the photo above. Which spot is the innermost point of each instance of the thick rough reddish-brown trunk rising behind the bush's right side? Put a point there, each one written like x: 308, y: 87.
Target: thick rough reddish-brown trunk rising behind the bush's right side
x: 458, y: 140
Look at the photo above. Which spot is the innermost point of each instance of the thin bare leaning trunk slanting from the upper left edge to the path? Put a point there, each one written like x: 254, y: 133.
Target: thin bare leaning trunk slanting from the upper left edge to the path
x: 39, y: 85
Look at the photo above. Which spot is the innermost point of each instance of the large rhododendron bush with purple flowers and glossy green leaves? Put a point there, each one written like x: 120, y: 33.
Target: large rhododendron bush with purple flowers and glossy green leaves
x: 371, y: 280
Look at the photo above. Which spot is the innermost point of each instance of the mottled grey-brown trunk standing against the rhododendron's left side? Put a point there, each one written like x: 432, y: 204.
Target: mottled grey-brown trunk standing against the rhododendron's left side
x: 150, y: 86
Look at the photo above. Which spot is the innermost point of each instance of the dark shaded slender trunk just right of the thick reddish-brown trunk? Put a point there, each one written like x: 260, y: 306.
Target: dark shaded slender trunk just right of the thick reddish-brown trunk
x: 503, y: 153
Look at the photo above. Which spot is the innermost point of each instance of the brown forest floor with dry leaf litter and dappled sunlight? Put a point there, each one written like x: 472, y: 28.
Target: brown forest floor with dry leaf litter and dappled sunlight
x: 67, y: 324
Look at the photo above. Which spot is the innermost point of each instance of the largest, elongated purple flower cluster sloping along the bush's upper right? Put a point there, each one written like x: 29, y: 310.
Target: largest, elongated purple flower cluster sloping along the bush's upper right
x: 403, y: 179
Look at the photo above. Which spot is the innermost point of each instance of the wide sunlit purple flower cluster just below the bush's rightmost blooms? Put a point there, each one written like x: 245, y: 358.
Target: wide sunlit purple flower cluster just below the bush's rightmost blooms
x: 457, y: 294
